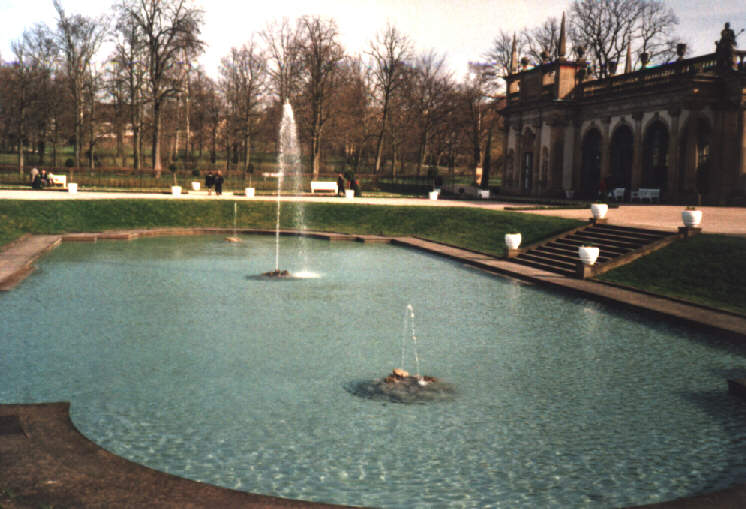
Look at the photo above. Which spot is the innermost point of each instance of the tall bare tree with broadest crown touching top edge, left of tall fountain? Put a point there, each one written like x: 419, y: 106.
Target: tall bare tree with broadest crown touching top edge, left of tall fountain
x: 169, y: 28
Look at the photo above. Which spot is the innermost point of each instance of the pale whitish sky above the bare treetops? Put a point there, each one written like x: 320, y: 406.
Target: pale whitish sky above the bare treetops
x: 462, y: 30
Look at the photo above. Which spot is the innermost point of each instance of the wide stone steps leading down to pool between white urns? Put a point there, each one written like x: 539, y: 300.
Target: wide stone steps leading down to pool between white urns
x: 617, y: 245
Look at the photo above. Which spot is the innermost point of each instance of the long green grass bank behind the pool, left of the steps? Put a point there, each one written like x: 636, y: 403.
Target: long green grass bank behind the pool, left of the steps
x: 471, y: 228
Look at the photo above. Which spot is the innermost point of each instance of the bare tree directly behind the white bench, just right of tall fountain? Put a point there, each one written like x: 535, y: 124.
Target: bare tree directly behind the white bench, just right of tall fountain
x: 320, y: 54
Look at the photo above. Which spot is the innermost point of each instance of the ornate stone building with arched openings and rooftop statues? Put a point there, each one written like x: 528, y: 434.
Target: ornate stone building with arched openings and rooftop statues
x: 677, y: 129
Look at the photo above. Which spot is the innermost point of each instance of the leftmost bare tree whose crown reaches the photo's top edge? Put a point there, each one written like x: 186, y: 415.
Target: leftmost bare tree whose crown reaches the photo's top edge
x: 78, y: 38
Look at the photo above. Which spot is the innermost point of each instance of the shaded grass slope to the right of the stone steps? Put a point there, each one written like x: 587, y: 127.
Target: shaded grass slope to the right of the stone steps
x: 706, y: 269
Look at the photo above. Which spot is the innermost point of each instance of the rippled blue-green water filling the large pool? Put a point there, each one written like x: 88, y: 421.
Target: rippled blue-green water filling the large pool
x: 175, y: 355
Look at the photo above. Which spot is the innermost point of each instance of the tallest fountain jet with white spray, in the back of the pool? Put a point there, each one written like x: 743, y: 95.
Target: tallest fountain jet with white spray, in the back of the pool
x: 288, y: 161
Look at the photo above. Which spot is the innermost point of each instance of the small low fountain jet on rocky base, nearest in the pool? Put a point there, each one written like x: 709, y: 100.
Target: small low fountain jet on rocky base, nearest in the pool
x: 401, y: 387
